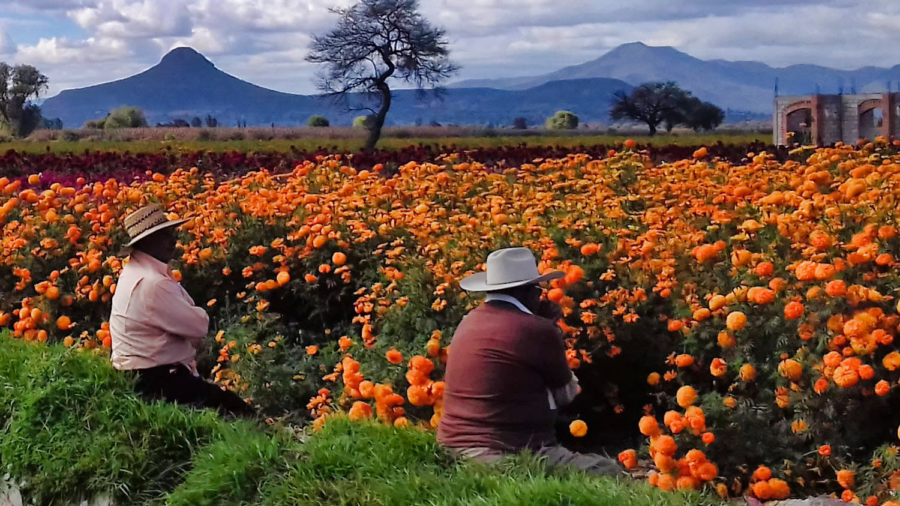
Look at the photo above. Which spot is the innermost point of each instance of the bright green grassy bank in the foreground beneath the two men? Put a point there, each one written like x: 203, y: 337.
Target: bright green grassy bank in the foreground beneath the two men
x: 72, y: 430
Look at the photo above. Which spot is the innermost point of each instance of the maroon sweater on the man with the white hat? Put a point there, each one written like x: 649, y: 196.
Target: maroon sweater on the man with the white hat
x: 501, y: 364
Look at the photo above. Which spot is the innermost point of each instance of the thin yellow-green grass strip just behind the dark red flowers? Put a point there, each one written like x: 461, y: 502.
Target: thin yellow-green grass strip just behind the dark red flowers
x: 391, y: 143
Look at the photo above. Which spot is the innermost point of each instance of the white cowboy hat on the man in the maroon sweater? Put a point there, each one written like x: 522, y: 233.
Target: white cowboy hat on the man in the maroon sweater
x: 508, y: 268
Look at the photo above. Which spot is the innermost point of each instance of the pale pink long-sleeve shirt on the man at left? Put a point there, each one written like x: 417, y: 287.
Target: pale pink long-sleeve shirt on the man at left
x: 154, y: 321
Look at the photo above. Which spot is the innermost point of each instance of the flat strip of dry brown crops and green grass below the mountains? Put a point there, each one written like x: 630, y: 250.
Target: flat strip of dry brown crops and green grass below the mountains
x: 347, y: 140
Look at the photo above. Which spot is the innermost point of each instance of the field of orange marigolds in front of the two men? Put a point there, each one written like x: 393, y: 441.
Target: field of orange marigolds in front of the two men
x: 757, y: 298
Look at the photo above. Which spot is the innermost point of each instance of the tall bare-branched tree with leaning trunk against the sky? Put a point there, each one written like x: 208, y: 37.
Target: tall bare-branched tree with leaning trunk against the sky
x: 376, y: 41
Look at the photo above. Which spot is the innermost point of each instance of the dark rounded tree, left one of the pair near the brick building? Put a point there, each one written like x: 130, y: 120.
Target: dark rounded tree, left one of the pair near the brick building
x: 650, y: 103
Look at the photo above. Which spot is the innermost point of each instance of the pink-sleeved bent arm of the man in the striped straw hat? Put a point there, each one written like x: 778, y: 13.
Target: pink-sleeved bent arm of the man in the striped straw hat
x: 175, y: 312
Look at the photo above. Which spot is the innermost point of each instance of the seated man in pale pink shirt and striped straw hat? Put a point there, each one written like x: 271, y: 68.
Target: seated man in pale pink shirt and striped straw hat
x: 155, y: 326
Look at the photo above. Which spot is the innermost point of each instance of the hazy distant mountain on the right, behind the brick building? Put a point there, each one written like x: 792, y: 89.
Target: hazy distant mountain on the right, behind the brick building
x: 746, y: 86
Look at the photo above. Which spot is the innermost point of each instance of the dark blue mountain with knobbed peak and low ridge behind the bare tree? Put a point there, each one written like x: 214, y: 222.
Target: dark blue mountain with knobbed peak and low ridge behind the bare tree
x: 185, y: 85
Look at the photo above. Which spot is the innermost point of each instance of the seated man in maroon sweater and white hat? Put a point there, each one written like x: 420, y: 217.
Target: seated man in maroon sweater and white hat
x: 507, y: 372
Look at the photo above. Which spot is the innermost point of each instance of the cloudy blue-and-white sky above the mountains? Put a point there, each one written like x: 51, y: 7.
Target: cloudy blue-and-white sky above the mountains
x: 83, y: 42
